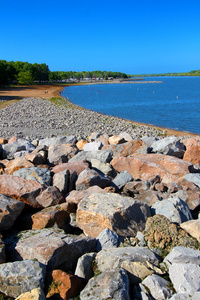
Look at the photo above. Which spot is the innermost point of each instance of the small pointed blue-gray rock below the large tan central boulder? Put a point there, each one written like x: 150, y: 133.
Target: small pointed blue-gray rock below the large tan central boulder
x: 107, y: 239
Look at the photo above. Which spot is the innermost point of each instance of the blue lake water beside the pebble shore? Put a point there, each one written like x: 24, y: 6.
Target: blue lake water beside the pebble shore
x: 174, y: 104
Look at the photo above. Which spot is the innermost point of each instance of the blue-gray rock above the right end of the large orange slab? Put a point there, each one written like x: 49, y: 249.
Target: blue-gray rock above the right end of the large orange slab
x: 169, y: 146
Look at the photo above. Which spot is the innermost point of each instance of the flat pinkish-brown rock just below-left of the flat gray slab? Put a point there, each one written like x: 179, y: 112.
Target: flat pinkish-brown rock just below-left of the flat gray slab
x: 77, y: 166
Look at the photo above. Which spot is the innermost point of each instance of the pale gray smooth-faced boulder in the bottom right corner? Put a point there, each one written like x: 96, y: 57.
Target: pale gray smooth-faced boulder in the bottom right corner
x: 185, y: 277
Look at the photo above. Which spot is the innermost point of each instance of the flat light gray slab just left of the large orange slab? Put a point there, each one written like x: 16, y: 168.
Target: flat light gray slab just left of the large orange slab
x: 105, y: 156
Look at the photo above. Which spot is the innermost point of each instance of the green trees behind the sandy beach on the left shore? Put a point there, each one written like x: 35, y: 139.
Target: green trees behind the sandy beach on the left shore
x: 26, y: 73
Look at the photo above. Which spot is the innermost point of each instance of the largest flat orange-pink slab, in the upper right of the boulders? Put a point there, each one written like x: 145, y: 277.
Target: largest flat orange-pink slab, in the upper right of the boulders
x: 147, y: 166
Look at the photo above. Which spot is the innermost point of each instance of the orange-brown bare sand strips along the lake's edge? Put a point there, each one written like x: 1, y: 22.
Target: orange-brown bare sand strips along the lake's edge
x: 13, y: 94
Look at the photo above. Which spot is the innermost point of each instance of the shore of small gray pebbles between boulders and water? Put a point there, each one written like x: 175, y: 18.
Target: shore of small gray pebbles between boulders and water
x: 38, y: 118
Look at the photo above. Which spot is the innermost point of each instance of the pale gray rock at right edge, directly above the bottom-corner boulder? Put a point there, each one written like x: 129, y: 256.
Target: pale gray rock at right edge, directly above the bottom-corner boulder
x: 183, y: 255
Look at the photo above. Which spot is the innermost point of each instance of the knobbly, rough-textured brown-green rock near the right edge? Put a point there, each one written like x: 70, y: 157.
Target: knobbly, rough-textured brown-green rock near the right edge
x: 161, y: 233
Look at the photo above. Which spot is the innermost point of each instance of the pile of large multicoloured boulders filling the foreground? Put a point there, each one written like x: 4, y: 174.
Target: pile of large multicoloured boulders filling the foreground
x: 104, y: 217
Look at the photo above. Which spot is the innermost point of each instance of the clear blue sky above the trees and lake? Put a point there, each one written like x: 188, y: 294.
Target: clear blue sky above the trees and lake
x: 134, y: 37
